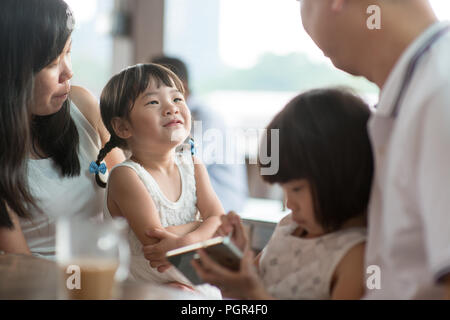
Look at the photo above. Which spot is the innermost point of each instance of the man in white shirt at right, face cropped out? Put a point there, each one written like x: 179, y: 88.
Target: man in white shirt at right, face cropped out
x: 408, y: 57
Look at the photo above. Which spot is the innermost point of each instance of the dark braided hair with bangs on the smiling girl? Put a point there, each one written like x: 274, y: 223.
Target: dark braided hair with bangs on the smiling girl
x: 120, y: 94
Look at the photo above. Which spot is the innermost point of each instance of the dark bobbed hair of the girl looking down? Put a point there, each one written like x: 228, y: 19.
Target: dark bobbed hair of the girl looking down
x: 324, y: 139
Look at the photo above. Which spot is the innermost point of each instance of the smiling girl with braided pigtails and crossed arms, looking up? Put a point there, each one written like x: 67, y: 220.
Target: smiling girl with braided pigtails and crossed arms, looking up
x: 164, y: 194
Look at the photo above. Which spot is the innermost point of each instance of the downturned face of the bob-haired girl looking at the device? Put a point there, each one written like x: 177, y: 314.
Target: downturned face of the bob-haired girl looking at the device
x: 300, y: 201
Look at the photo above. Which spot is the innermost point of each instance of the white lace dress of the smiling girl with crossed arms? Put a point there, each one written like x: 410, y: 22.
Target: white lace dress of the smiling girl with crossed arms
x: 183, y: 211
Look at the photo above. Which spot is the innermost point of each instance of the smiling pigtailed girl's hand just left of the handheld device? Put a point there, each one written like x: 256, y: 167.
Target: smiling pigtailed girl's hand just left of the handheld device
x: 156, y: 253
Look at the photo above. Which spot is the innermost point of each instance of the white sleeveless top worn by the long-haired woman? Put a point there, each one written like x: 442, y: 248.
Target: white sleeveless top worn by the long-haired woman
x: 57, y: 195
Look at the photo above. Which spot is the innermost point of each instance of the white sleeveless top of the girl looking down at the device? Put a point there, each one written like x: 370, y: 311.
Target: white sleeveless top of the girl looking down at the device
x: 298, y: 268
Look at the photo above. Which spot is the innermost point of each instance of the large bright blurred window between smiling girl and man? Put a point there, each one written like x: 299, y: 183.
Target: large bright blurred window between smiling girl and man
x: 249, y: 57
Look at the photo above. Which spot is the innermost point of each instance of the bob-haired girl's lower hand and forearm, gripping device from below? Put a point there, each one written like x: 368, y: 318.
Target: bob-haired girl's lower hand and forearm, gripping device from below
x: 243, y: 284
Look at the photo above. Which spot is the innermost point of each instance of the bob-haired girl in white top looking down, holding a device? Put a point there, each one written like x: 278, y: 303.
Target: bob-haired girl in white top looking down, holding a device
x: 325, y: 169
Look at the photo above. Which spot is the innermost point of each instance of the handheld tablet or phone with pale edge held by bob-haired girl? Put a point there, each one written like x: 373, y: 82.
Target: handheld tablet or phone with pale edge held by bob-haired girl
x: 221, y: 249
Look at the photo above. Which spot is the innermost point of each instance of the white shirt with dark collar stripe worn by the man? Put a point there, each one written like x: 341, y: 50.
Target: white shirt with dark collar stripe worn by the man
x: 409, y: 218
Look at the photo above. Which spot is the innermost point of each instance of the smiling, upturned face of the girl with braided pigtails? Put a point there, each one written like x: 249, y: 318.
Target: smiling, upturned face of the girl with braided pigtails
x: 159, y: 118
